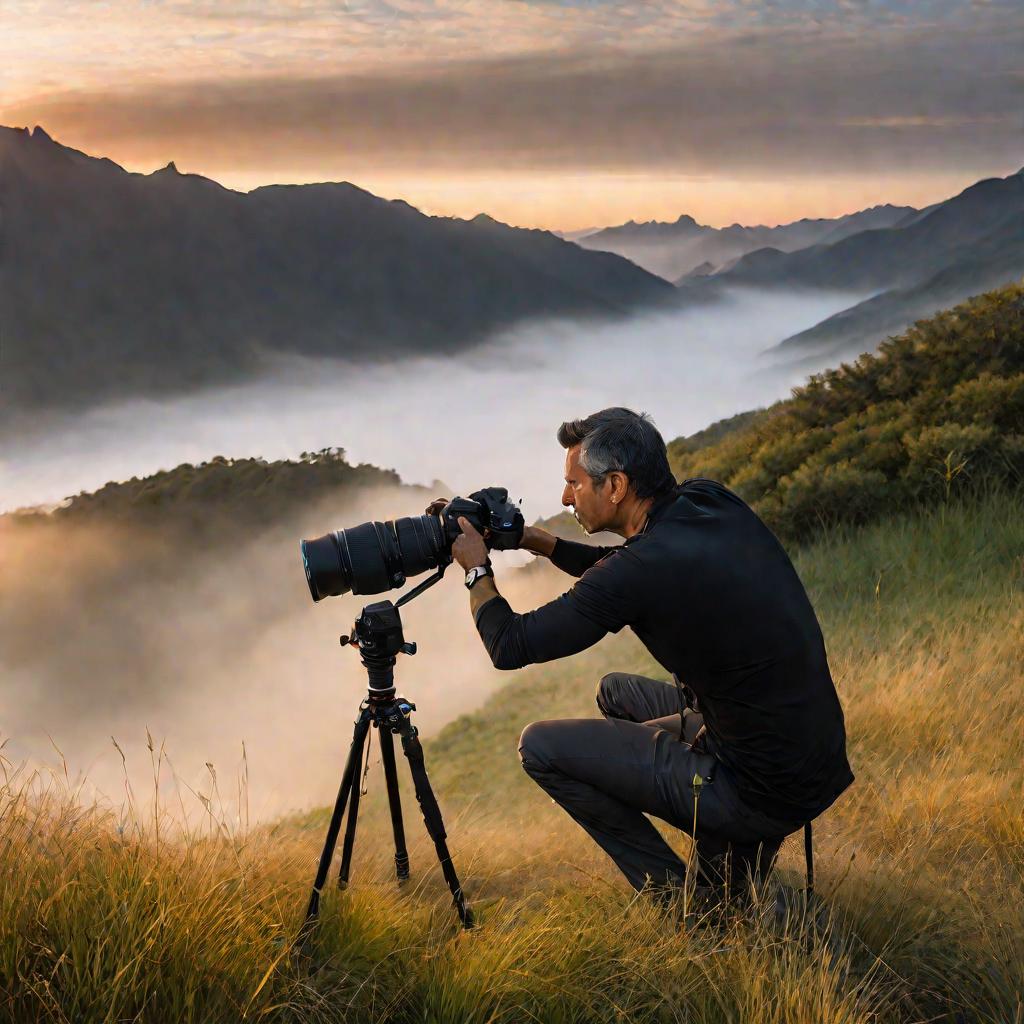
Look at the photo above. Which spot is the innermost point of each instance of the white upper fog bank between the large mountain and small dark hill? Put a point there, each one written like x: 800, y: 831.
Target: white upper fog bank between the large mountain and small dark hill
x: 486, y: 417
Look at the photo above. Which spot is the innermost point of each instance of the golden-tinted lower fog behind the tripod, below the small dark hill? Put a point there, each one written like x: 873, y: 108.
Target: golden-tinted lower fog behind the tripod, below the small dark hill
x: 109, y: 633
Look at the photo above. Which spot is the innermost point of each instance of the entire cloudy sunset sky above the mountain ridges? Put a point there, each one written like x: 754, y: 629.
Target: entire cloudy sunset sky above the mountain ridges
x: 557, y: 114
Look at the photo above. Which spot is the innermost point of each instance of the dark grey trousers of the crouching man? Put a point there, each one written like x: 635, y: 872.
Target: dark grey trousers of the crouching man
x: 609, y: 774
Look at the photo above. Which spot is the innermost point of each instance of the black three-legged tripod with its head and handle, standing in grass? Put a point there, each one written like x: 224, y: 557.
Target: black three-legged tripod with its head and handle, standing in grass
x: 379, y: 637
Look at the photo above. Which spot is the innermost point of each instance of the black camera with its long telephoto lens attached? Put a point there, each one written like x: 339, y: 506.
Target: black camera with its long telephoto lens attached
x: 378, y: 557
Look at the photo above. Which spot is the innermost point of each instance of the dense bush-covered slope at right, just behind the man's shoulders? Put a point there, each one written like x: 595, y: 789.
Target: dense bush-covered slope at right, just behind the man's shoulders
x: 940, y: 411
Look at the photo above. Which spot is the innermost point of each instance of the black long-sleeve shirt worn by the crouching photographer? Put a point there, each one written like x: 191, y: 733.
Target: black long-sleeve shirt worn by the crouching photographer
x: 714, y: 598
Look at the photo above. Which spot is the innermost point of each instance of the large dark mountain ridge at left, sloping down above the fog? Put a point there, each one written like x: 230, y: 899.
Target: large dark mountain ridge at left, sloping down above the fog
x: 115, y: 284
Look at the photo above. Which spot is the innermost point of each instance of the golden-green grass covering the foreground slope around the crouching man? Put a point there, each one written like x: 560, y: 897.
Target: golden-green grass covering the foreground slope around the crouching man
x: 107, y: 918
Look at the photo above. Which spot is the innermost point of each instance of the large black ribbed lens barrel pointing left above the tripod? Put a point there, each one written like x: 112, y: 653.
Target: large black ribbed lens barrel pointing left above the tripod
x: 374, y: 557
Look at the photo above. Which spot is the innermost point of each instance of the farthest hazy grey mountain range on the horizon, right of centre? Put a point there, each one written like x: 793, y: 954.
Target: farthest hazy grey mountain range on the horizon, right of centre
x: 675, y: 250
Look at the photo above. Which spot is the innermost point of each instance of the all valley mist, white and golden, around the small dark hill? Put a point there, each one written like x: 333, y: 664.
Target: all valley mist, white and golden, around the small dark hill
x: 109, y: 632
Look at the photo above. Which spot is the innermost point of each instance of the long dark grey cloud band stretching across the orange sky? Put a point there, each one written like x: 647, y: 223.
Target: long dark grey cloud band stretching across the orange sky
x: 764, y: 104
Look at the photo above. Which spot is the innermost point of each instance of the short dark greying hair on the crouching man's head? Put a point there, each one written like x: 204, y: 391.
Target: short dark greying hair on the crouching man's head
x: 619, y: 440
